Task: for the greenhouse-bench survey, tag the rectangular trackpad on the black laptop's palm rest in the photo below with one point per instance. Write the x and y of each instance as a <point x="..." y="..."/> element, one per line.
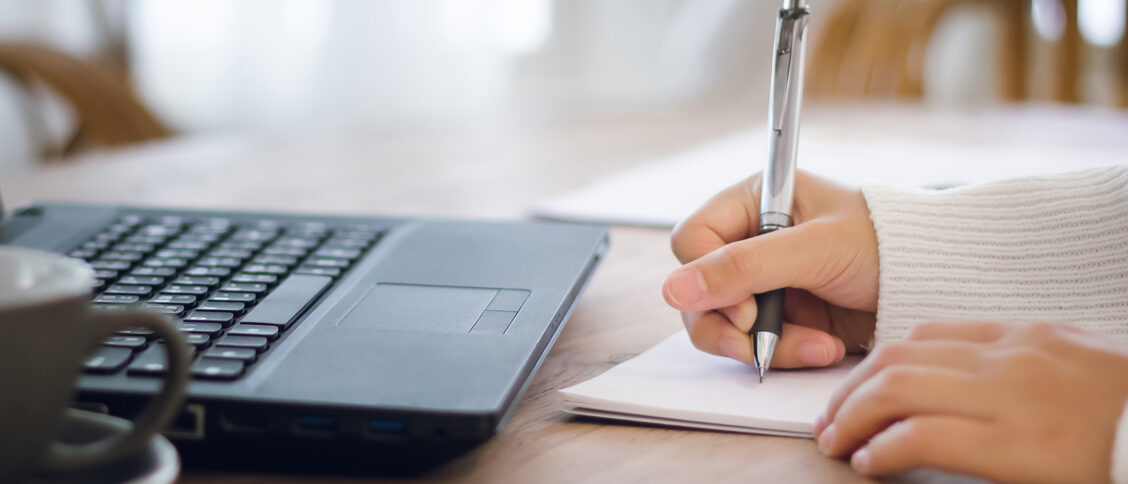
<point x="420" y="309"/>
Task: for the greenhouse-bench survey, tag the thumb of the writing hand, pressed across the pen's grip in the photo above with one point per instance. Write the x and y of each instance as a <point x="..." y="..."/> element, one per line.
<point x="792" y="258"/>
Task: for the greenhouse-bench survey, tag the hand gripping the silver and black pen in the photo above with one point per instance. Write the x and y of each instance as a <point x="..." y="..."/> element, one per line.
<point x="830" y="258"/>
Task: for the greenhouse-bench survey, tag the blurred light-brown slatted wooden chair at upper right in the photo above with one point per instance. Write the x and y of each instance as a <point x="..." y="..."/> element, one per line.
<point x="876" y="49"/>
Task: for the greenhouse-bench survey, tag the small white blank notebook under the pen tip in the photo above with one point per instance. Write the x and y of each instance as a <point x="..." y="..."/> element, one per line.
<point x="675" y="384"/>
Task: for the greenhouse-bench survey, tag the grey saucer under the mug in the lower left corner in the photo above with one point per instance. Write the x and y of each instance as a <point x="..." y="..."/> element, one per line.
<point x="156" y="464"/>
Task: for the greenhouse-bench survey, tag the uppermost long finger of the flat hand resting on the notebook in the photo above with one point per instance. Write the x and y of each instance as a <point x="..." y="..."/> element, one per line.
<point x="939" y="354"/>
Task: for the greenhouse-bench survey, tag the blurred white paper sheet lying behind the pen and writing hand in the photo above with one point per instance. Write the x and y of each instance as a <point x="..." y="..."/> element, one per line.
<point x="664" y="192"/>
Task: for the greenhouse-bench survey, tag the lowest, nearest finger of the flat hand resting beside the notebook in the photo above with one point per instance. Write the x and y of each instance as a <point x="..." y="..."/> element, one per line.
<point x="933" y="442"/>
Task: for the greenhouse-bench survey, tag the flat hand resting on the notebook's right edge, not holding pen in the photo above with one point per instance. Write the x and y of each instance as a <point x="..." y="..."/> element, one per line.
<point x="1012" y="403"/>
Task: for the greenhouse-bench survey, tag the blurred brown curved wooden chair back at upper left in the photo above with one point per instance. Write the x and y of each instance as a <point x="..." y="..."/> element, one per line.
<point x="109" y="113"/>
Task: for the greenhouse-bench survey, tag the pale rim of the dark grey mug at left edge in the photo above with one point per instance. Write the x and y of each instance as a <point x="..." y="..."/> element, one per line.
<point x="58" y="278"/>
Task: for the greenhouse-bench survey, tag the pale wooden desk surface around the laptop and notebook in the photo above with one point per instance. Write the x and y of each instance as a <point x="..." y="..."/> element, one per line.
<point x="491" y="171"/>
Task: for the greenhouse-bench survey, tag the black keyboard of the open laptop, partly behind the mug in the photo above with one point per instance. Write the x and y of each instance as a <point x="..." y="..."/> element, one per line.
<point x="235" y="287"/>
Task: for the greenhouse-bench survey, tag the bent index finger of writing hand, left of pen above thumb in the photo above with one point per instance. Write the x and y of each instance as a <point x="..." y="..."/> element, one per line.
<point x="730" y="216"/>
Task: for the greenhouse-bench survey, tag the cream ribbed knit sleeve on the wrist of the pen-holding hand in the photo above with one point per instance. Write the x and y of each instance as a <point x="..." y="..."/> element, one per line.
<point x="1038" y="249"/>
